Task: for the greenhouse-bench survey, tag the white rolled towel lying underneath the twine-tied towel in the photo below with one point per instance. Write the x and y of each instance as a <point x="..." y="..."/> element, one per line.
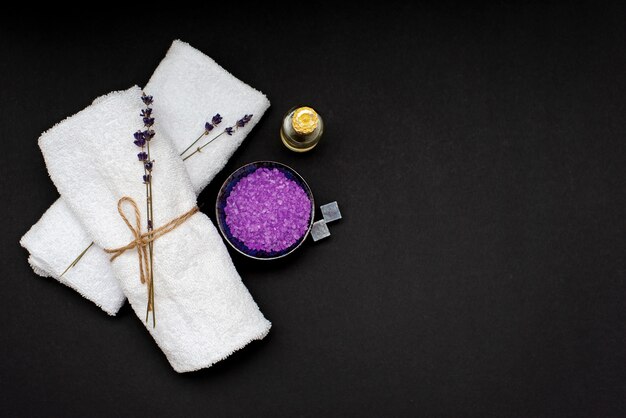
<point x="189" y="88"/>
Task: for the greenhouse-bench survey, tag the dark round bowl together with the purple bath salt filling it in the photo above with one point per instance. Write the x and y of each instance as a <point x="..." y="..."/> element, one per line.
<point x="265" y="210"/>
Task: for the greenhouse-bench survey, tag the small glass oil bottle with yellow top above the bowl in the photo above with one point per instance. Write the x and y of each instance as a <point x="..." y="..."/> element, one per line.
<point x="302" y="129"/>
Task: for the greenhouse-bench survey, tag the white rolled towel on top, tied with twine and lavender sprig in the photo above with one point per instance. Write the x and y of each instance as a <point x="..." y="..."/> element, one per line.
<point x="203" y="310"/>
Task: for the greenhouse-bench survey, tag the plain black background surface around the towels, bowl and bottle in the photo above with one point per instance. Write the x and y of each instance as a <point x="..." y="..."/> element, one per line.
<point x="477" y="153"/>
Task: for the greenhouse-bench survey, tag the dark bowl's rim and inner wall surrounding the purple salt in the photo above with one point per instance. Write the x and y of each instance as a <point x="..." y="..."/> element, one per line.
<point x="227" y="187"/>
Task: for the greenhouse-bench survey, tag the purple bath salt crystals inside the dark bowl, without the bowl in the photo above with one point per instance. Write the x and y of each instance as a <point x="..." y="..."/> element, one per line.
<point x="267" y="211"/>
